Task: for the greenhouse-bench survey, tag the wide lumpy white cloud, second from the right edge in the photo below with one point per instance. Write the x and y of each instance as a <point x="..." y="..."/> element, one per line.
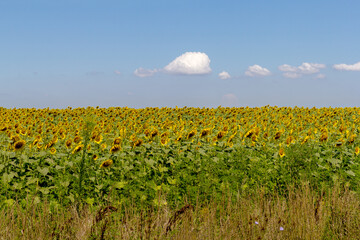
<point x="304" y="68"/>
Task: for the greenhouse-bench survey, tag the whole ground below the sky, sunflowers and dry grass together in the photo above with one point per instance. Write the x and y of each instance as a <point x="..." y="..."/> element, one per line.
<point x="201" y="173"/>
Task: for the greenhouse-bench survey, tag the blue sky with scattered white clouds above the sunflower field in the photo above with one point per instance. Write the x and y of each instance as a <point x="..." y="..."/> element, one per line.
<point x="170" y="53"/>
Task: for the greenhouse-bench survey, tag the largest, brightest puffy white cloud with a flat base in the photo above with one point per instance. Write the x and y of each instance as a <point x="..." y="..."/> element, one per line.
<point x="189" y="63"/>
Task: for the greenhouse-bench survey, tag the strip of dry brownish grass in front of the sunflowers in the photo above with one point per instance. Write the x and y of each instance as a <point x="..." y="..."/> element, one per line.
<point x="304" y="214"/>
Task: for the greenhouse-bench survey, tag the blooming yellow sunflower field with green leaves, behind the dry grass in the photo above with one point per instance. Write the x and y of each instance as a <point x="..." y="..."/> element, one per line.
<point x="163" y="156"/>
